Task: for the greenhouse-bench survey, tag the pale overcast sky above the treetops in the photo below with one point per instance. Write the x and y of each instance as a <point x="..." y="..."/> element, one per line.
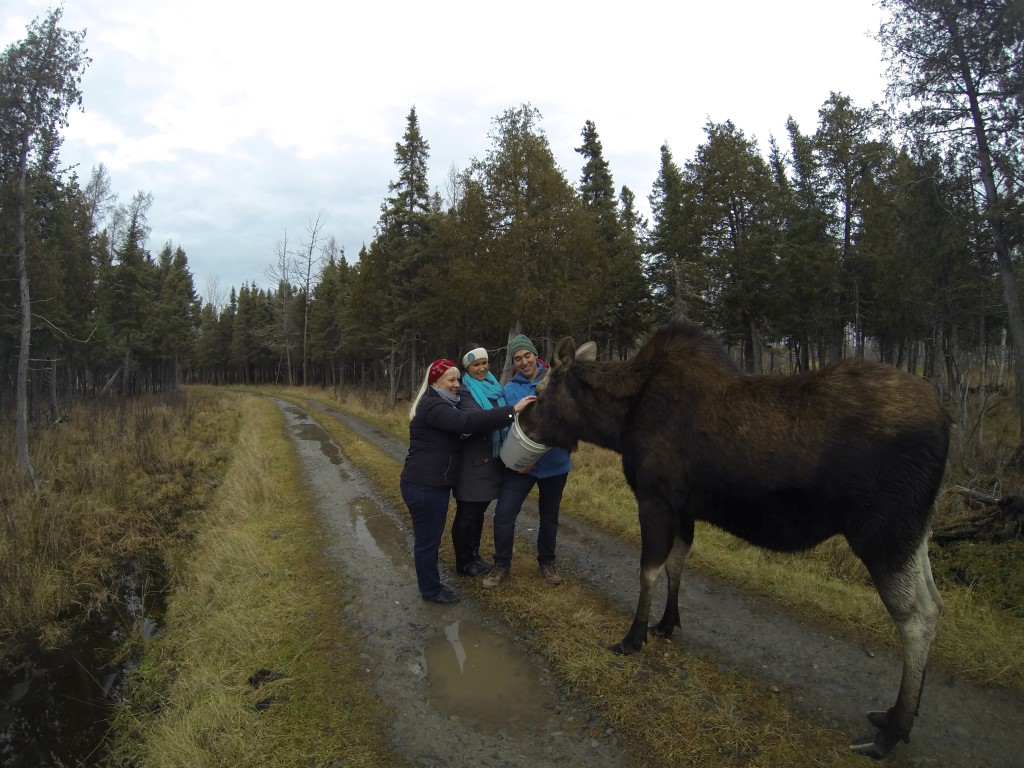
<point x="246" y="121"/>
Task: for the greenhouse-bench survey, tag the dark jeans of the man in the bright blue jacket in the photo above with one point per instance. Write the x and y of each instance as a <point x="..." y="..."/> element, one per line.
<point x="516" y="489"/>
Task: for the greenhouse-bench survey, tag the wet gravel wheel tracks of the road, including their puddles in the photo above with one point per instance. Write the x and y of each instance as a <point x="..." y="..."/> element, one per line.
<point x="466" y="692"/>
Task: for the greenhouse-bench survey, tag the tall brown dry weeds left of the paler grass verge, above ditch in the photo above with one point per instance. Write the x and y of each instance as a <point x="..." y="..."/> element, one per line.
<point x="116" y="481"/>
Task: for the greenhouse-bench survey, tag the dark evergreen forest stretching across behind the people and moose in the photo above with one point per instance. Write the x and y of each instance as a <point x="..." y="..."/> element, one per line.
<point x="885" y="231"/>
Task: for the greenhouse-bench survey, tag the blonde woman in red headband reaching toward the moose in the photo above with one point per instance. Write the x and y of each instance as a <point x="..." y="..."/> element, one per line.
<point x="432" y="468"/>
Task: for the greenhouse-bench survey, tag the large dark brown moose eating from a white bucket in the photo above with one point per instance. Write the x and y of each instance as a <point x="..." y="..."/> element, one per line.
<point x="784" y="461"/>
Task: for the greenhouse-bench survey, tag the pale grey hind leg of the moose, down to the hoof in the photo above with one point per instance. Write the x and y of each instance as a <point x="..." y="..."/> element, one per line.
<point x="915" y="605"/>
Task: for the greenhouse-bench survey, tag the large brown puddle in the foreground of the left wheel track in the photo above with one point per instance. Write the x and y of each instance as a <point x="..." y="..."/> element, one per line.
<point x="482" y="677"/>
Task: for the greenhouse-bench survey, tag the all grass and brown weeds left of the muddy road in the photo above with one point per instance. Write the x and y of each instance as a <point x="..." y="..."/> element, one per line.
<point x="201" y="491"/>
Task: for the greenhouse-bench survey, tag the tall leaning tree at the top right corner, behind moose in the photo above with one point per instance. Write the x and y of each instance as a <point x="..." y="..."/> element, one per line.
<point x="961" y="68"/>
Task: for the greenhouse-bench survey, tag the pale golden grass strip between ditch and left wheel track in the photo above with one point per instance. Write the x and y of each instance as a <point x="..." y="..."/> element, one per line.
<point x="254" y="598"/>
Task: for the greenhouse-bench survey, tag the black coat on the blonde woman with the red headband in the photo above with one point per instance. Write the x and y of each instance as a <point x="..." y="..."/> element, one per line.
<point x="436" y="439"/>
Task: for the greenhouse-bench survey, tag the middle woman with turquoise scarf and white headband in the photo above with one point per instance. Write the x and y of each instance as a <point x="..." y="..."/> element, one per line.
<point x="481" y="475"/>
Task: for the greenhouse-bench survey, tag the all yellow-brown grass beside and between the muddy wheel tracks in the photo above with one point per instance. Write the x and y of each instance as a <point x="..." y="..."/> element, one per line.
<point x="207" y="484"/>
